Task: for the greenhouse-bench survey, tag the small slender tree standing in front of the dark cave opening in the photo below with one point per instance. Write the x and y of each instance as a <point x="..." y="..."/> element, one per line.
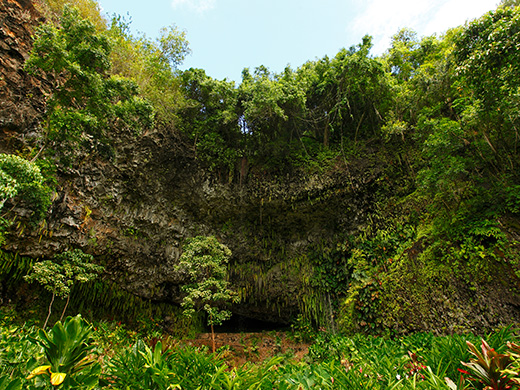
<point x="204" y="261"/>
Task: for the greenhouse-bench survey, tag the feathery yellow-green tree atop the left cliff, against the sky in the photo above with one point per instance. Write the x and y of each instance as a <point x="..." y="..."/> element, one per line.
<point x="150" y="64"/>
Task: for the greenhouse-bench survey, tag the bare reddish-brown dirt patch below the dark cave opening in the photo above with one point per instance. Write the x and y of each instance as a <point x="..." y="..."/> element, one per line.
<point x="252" y="347"/>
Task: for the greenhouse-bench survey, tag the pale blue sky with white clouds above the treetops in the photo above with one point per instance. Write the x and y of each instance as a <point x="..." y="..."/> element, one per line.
<point x="228" y="35"/>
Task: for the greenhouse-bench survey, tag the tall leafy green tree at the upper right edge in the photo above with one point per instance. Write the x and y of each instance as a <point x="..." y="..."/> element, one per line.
<point x="489" y="62"/>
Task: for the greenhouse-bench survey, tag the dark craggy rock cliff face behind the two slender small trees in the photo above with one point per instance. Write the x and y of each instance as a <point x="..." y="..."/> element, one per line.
<point x="134" y="212"/>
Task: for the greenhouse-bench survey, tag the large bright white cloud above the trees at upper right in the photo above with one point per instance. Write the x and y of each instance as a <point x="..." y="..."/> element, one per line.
<point x="383" y="18"/>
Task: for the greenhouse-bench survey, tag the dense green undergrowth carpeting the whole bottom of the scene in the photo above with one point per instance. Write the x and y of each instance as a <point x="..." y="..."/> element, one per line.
<point x="79" y="355"/>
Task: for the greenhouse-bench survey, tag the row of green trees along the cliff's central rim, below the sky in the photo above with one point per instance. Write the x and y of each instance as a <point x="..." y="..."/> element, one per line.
<point x="282" y="121"/>
